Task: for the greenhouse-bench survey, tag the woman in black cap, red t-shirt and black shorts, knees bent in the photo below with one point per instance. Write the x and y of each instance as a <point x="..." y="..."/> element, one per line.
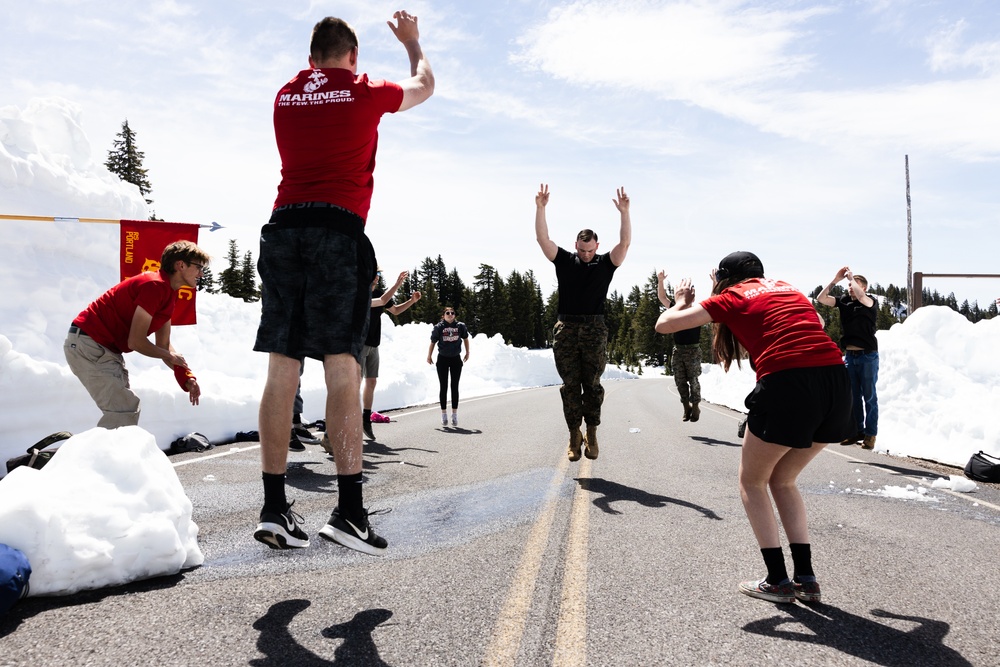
<point x="801" y="402"/>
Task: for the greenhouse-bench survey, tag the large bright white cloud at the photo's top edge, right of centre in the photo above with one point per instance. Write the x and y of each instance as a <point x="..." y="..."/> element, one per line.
<point x="674" y="49"/>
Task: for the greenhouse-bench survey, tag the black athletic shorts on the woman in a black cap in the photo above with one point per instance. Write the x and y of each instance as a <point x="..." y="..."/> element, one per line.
<point x="800" y="406"/>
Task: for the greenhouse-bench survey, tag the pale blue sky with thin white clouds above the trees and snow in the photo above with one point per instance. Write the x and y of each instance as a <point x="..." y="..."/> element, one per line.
<point x="777" y="127"/>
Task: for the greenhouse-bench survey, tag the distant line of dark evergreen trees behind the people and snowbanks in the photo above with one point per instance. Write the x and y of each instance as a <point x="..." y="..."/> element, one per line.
<point x="515" y="308"/>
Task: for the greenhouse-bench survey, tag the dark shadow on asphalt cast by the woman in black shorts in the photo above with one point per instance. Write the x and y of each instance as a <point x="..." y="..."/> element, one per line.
<point x="861" y="637"/>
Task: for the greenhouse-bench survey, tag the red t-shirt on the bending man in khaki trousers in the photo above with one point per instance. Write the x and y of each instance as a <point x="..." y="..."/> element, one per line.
<point x="108" y="319"/>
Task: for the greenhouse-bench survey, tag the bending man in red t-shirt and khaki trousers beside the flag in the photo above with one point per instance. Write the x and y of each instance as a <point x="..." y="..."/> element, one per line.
<point x="121" y="320"/>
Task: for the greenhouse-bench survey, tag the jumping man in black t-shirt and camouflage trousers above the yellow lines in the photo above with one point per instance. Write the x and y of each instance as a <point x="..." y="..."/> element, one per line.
<point x="580" y="337"/>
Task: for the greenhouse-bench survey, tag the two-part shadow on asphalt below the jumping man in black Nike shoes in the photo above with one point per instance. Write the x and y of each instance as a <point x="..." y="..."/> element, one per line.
<point x="280" y="647"/>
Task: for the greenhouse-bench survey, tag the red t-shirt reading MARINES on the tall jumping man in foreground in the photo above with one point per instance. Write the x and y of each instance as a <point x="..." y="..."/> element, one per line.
<point x="326" y="126"/>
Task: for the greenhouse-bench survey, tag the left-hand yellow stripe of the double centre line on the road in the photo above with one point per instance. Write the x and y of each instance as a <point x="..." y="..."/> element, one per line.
<point x="509" y="628"/>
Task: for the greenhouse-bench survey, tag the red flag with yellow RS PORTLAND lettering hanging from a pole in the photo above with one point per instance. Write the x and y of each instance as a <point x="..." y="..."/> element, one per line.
<point x="142" y="244"/>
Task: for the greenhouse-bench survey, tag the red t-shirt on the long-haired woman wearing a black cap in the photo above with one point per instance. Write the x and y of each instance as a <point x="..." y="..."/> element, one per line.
<point x="776" y="324"/>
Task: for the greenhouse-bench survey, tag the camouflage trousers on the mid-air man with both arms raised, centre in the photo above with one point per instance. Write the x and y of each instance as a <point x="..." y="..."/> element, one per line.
<point x="581" y="353"/>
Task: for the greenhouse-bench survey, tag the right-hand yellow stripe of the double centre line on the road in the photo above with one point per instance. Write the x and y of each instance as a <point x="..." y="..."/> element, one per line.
<point x="571" y="630"/>
